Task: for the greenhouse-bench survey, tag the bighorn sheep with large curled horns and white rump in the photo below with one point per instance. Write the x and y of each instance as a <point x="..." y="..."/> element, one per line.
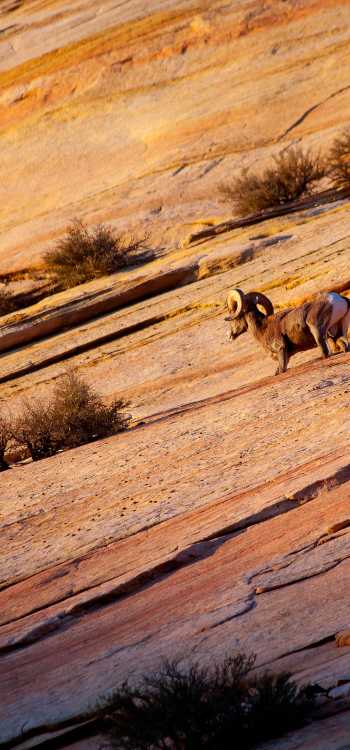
<point x="287" y="332"/>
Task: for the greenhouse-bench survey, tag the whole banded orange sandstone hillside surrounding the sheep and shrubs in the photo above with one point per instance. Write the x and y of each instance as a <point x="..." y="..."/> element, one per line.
<point x="220" y="520"/>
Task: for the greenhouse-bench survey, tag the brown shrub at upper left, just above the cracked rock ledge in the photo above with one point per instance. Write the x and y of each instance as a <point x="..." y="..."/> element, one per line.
<point x="83" y="254"/>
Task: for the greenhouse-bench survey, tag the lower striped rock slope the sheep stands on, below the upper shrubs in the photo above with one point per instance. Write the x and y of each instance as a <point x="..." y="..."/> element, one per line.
<point x="217" y="522"/>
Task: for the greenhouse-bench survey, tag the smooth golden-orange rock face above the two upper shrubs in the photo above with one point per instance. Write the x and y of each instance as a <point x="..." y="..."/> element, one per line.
<point x="133" y="114"/>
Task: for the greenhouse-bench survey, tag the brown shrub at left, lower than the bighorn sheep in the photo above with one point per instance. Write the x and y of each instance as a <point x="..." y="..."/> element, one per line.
<point x="75" y="415"/>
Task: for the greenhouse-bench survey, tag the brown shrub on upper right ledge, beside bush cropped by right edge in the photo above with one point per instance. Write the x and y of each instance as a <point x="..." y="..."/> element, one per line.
<point x="293" y="174"/>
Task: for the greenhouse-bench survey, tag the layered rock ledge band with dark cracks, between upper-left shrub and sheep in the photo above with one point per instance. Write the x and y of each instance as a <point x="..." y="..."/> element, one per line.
<point x="300" y="280"/>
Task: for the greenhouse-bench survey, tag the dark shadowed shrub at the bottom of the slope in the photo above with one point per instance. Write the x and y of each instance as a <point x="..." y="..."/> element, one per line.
<point x="202" y="709"/>
